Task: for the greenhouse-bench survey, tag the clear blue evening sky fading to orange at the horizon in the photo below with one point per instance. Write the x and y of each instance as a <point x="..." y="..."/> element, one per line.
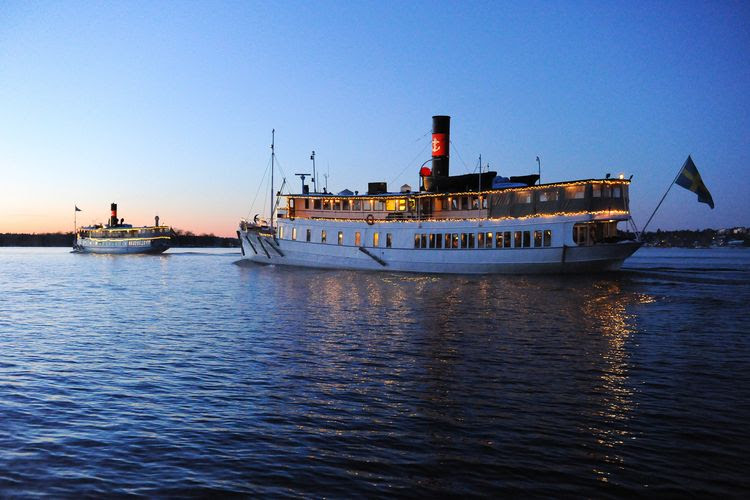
<point x="167" y="107"/>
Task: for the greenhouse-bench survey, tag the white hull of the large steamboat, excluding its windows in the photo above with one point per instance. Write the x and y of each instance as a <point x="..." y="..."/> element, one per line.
<point x="561" y="256"/>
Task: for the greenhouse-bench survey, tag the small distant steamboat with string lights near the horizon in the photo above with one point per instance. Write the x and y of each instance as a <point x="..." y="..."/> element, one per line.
<point x="116" y="237"/>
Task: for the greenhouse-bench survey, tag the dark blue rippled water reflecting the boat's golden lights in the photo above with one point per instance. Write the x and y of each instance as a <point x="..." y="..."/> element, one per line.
<point x="187" y="375"/>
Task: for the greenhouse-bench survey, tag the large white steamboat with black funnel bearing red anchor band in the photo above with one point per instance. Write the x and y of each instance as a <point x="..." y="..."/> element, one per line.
<point x="474" y="224"/>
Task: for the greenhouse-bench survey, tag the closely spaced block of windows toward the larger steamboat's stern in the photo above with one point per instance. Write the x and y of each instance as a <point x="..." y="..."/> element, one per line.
<point x="505" y="239"/>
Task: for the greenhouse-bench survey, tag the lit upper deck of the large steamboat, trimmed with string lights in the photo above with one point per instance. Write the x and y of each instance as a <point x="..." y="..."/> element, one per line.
<point x="593" y="196"/>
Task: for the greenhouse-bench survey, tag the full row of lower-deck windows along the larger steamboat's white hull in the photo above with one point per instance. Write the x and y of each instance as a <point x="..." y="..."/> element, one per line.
<point x="501" y="239"/>
